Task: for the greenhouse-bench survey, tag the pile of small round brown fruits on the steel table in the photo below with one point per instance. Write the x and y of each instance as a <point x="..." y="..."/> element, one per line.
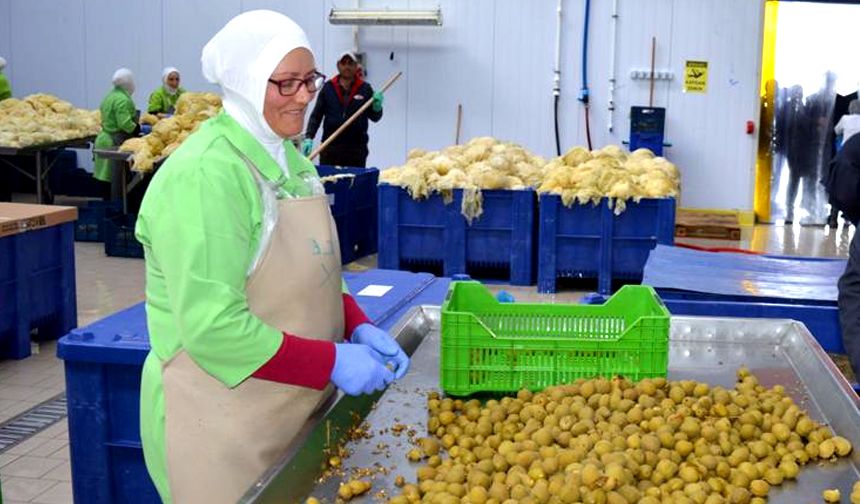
<point x="617" y="442"/>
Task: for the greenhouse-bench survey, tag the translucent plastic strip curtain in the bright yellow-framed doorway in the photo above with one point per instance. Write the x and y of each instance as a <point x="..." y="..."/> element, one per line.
<point x="805" y="108"/>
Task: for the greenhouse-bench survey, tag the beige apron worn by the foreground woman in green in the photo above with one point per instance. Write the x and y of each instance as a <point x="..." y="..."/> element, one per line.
<point x="220" y="440"/>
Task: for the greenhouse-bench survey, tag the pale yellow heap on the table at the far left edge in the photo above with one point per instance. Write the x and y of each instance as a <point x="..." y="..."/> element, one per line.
<point x="41" y="118"/>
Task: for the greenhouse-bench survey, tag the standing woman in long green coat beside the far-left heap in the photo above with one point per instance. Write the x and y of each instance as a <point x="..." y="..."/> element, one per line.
<point x="119" y="123"/>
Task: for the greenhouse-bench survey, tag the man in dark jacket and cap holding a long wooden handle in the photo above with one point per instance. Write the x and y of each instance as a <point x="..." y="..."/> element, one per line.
<point x="337" y="101"/>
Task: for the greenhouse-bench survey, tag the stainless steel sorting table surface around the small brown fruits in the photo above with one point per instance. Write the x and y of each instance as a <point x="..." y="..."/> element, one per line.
<point x="706" y="349"/>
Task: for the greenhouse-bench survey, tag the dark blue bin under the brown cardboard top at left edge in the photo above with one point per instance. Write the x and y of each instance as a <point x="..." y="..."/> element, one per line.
<point x="37" y="287"/>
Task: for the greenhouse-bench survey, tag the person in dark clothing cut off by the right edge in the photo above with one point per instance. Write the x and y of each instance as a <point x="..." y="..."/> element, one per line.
<point x="843" y="184"/>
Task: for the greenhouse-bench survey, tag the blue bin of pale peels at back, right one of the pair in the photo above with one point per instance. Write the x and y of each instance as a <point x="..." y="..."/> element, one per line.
<point x="590" y="241"/>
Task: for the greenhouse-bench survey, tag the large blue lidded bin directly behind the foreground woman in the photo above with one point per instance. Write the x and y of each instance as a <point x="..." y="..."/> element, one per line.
<point x="103" y="363"/>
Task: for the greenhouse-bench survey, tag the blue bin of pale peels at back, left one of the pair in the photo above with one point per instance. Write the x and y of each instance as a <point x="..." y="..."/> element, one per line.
<point x="428" y="235"/>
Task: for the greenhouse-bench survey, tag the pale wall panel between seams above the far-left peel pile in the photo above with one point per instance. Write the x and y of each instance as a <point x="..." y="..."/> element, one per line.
<point x="48" y="44"/>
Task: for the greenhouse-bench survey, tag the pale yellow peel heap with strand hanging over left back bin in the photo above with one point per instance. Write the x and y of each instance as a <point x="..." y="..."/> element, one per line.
<point x="482" y="163"/>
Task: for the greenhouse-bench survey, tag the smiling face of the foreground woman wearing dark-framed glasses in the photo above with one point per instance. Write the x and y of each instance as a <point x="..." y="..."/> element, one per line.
<point x="286" y="114"/>
